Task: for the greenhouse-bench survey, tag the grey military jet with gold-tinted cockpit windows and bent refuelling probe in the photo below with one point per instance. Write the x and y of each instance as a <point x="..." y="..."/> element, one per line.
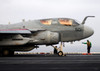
<point x="25" y="36"/>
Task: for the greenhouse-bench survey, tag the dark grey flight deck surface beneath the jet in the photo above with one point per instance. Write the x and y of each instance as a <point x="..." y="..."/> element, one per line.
<point x="50" y="62"/>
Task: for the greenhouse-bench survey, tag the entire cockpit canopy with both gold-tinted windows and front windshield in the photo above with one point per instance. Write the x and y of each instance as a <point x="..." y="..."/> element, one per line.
<point x="61" y="21"/>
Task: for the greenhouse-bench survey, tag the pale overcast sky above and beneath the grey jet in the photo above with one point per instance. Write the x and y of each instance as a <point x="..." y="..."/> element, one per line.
<point x="14" y="11"/>
